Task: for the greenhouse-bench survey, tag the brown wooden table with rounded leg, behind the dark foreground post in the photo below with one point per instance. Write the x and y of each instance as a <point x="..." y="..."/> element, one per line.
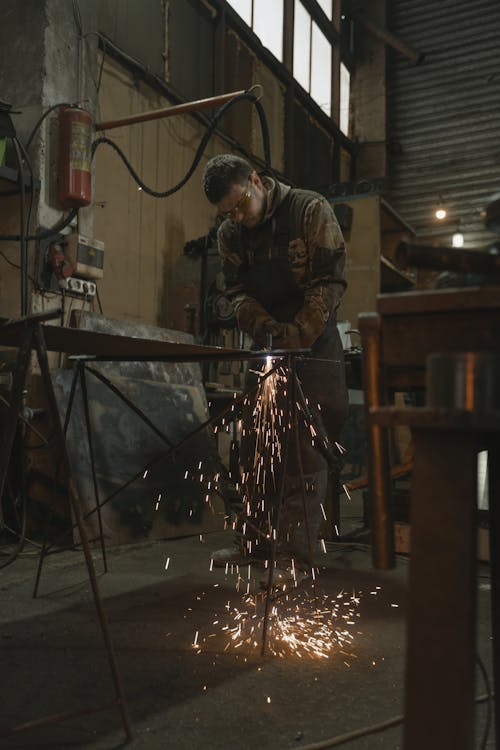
<point x="396" y="340"/>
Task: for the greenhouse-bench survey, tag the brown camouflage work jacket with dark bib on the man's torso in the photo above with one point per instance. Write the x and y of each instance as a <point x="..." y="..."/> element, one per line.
<point x="286" y="275"/>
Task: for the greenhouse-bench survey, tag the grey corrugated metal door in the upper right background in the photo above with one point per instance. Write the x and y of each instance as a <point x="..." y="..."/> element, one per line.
<point x="444" y="116"/>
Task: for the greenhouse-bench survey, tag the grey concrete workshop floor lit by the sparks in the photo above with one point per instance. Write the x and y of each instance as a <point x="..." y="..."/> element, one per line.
<point x="220" y="694"/>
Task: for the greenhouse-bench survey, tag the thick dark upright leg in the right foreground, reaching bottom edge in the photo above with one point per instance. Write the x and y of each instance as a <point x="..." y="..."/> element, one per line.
<point x="439" y="695"/>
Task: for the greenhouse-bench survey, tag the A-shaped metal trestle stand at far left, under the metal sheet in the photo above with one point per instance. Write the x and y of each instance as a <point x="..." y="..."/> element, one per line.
<point x="32" y="338"/>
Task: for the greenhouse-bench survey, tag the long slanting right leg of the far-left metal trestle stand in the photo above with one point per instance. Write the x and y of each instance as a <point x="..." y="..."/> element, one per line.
<point x="75" y="505"/>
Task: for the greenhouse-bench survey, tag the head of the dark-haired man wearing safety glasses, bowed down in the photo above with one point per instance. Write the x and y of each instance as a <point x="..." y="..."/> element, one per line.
<point x="235" y="189"/>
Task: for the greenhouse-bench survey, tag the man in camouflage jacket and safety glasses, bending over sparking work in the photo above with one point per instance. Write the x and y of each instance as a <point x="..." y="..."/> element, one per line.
<point x="283" y="258"/>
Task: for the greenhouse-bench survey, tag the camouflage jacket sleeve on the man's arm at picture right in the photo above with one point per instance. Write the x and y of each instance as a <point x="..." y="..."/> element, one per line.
<point x="324" y="282"/>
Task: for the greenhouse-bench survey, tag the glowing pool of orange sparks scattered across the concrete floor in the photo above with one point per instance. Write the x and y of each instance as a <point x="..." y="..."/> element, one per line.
<point x="301" y="624"/>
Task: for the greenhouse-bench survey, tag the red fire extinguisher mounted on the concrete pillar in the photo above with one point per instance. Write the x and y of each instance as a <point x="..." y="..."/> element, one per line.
<point x="75" y="138"/>
